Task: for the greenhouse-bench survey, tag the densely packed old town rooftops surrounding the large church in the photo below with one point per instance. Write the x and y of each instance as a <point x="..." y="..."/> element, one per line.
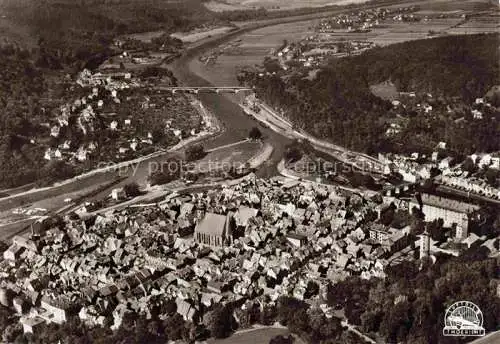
<point x="257" y="239"/>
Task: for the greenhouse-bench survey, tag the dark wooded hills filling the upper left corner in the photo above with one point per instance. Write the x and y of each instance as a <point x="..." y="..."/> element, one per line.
<point x="79" y="32"/>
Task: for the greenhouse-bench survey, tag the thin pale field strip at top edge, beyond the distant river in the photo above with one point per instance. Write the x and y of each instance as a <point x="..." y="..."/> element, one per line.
<point x="232" y="5"/>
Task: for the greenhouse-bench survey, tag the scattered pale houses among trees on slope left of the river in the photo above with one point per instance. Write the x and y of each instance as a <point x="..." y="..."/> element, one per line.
<point x="99" y="110"/>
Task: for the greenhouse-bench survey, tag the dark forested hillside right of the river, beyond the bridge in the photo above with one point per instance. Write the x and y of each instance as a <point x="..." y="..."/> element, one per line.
<point x="338" y="104"/>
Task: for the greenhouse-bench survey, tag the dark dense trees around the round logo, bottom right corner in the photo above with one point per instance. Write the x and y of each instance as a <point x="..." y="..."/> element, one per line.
<point x="409" y="306"/>
